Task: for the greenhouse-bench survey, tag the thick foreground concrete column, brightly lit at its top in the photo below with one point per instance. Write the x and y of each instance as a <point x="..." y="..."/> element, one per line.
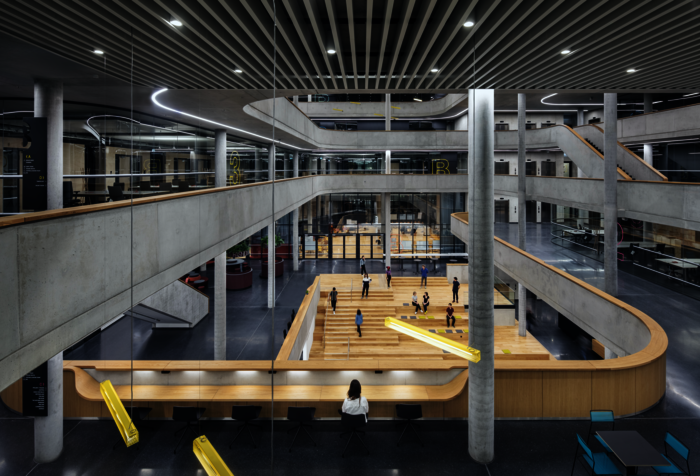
<point x="481" y="276"/>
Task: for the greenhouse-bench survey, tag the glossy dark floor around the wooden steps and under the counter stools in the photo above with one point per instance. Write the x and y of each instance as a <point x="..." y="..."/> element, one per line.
<point x="522" y="447"/>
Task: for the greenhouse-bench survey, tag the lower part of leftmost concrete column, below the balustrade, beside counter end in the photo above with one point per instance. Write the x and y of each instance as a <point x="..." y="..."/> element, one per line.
<point x="48" y="430"/>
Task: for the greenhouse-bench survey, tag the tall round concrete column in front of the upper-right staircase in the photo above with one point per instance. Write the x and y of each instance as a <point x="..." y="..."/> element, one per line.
<point x="610" y="179"/>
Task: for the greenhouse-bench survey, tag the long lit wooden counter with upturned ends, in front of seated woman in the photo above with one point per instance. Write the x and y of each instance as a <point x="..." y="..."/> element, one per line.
<point x="89" y="389"/>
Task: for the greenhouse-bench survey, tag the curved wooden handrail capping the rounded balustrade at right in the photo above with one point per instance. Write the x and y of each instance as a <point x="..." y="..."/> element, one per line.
<point x="655" y="349"/>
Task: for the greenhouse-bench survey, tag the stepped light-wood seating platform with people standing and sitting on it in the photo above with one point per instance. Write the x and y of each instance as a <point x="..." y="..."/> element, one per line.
<point x="336" y="337"/>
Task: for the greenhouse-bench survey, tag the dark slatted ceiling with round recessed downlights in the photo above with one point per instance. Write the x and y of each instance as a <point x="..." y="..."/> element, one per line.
<point x="379" y="44"/>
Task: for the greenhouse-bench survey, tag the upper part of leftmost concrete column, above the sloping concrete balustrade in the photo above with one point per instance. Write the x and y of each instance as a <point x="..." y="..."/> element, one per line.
<point x="48" y="103"/>
